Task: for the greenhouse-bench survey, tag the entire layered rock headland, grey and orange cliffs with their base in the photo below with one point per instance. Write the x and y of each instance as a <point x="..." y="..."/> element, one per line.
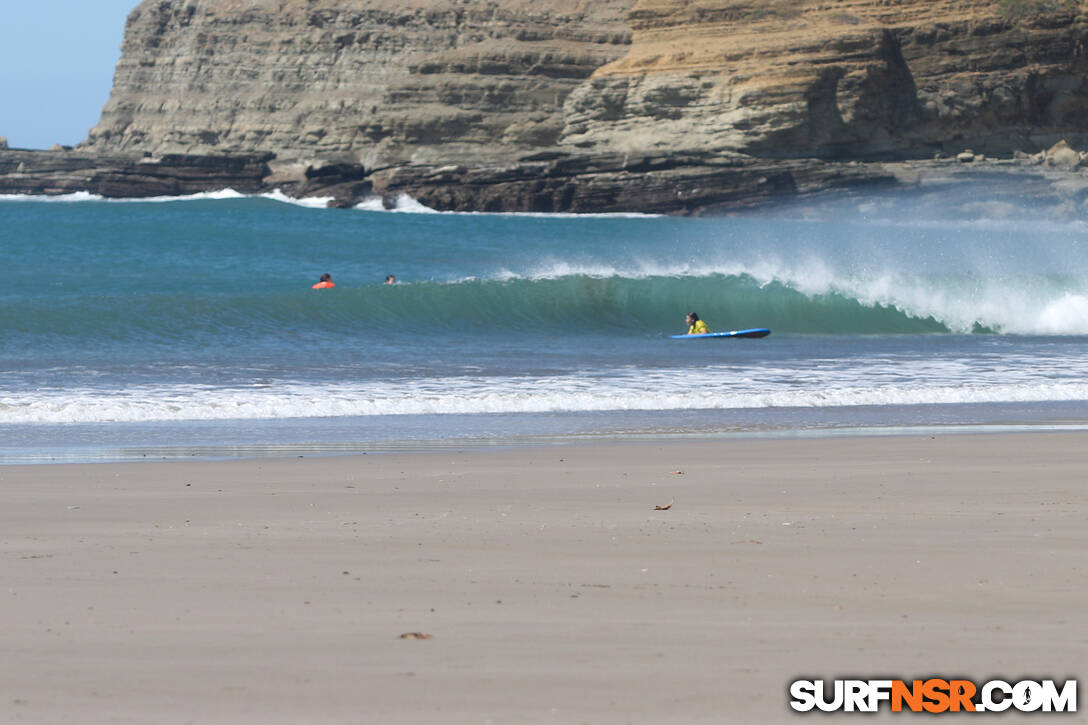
<point x="675" y="106"/>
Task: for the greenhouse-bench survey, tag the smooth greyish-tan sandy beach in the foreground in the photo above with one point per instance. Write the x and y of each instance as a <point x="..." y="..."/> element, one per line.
<point x="276" y="592"/>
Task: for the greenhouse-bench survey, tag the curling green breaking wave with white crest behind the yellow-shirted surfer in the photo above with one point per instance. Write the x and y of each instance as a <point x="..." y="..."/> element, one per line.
<point x="597" y="301"/>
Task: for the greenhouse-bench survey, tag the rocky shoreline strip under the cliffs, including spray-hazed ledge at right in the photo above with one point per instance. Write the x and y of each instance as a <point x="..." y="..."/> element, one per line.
<point x="694" y="183"/>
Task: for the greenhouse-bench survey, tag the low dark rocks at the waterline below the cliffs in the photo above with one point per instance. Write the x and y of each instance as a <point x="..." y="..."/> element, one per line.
<point x="685" y="185"/>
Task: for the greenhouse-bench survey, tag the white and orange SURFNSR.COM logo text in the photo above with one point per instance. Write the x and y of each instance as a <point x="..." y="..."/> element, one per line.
<point x="933" y="696"/>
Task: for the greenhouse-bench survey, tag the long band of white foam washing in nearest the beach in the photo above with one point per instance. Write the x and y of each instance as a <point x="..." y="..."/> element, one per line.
<point x="834" y="385"/>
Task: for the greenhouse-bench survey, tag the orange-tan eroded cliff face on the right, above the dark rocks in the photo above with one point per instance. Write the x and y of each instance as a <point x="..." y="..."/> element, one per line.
<point x="876" y="79"/>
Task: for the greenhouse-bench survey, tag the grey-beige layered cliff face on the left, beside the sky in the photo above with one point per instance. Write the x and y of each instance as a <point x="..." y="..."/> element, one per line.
<point x="375" y="81"/>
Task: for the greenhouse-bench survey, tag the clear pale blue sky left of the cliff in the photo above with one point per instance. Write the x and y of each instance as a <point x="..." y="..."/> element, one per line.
<point x="57" y="60"/>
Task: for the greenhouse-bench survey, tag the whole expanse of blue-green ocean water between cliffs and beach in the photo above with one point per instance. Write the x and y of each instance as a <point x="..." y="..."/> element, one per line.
<point x="180" y="328"/>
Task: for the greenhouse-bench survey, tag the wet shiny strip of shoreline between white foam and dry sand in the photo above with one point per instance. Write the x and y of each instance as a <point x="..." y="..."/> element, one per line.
<point x="267" y="439"/>
